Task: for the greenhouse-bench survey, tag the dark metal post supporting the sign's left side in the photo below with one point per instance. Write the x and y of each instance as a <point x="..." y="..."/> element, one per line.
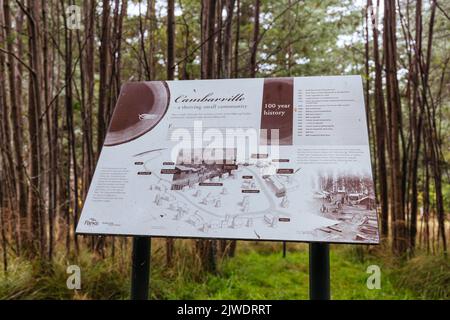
<point x="140" y="269"/>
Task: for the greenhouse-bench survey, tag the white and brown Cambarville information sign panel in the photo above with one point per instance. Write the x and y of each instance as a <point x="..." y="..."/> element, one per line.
<point x="260" y="159"/>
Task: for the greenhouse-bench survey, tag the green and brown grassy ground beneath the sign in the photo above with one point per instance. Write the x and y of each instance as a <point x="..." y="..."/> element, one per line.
<point x="258" y="271"/>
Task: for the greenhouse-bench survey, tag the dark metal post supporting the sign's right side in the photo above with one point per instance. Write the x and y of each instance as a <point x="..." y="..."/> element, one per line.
<point x="319" y="271"/>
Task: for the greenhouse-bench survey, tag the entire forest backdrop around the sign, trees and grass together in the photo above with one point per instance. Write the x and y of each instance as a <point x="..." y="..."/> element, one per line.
<point x="62" y="64"/>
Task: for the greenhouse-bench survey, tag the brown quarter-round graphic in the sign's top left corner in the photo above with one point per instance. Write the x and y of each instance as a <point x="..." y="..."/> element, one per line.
<point x="139" y="108"/>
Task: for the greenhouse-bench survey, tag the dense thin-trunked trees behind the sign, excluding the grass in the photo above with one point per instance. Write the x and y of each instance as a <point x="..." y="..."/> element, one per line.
<point x="61" y="69"/>
